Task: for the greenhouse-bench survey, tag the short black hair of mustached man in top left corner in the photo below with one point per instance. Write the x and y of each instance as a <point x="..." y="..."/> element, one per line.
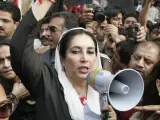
<point x="12" y="9"/>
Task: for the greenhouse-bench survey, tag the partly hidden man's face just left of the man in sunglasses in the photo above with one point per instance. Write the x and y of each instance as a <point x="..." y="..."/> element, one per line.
<point x="43" y="34"/>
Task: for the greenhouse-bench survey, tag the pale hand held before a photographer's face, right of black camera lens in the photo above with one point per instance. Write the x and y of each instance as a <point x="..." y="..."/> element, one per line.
<point x="111" y="32"/>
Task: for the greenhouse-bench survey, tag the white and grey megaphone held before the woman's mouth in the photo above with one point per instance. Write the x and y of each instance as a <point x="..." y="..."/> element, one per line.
<point x="123" y="90"/>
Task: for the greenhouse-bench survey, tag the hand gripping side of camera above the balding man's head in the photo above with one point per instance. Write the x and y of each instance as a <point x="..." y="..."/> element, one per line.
<point x="141" y="35"/>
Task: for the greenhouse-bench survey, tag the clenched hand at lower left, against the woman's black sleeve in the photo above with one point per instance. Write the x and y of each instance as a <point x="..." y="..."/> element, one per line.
<point x="20" y="91"/>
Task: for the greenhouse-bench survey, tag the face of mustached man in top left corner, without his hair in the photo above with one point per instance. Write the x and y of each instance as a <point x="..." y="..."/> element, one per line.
<point x="7" y="25"/>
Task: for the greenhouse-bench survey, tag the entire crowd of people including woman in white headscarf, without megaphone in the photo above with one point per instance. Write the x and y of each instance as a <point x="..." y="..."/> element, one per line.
<point x="46" y="55"/>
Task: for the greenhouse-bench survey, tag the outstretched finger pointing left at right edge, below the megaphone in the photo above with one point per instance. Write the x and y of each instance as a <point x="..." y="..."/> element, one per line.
<point x="148" y="108"/>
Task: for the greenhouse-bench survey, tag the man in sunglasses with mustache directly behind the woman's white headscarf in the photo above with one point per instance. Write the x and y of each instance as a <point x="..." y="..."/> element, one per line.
<point x="59" y="23"/>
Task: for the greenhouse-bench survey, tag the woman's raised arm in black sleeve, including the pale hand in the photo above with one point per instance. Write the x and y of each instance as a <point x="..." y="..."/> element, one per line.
<point x="25" y="62"/>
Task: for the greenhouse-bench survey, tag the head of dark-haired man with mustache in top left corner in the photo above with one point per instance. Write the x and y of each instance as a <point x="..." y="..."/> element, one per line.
<point x="9" y="18"/>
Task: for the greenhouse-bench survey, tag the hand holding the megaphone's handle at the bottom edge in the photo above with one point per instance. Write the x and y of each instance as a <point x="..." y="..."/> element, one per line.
<point x="111" y="113"/>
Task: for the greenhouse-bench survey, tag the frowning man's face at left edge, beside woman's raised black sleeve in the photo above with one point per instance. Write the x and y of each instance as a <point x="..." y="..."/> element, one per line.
<point x="6" y="70"/>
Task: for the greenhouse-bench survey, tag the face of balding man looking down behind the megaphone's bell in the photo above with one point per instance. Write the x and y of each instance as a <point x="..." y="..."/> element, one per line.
<point x="143" y="60"/>
